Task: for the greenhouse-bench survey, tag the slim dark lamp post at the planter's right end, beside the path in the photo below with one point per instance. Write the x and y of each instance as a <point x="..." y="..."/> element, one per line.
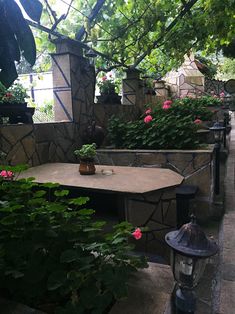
<point x="217" y="129"/>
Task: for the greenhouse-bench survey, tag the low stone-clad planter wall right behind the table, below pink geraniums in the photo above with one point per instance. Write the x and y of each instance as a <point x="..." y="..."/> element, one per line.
<point x="195" y="165"/>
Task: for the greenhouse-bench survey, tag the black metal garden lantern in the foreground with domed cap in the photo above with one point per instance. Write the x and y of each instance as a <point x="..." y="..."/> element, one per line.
<point x="190" y="250"/>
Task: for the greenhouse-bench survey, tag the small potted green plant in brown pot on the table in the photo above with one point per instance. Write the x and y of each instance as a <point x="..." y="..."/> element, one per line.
<point x="86" y="155"/>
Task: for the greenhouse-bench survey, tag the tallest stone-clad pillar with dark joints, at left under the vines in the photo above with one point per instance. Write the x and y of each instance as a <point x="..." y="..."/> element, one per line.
<point x="74" y="84"/>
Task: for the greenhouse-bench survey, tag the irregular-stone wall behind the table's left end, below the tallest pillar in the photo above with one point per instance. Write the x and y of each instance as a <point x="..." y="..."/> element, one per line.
<point x="36" y="144"/>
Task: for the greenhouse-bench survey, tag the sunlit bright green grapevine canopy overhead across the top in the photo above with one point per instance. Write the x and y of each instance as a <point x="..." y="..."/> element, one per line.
<point x="153" y="34"/>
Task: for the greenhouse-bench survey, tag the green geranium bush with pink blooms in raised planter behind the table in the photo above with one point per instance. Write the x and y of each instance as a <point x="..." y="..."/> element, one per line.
<point x="173" y="128"/>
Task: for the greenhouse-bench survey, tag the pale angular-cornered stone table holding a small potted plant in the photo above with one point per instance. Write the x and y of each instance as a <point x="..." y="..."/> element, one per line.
<point x="125" y="181"/>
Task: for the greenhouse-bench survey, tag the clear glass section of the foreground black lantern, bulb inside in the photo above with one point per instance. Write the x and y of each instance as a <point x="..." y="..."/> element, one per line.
<point x="187" y="270"/>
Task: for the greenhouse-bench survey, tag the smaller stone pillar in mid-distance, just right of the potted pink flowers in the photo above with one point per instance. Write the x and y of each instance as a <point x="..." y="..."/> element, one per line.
<point x="133" y="89"/>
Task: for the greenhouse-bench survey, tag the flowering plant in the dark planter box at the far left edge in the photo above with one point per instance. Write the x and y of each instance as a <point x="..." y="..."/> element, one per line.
<point x="16" y="94"/>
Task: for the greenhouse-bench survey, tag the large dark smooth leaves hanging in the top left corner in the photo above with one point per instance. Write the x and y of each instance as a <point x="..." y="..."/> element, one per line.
<point x="16" y="37"/>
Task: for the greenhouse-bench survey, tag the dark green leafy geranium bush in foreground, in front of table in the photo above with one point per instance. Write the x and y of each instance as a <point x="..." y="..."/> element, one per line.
<point x="52" y="251"/>
